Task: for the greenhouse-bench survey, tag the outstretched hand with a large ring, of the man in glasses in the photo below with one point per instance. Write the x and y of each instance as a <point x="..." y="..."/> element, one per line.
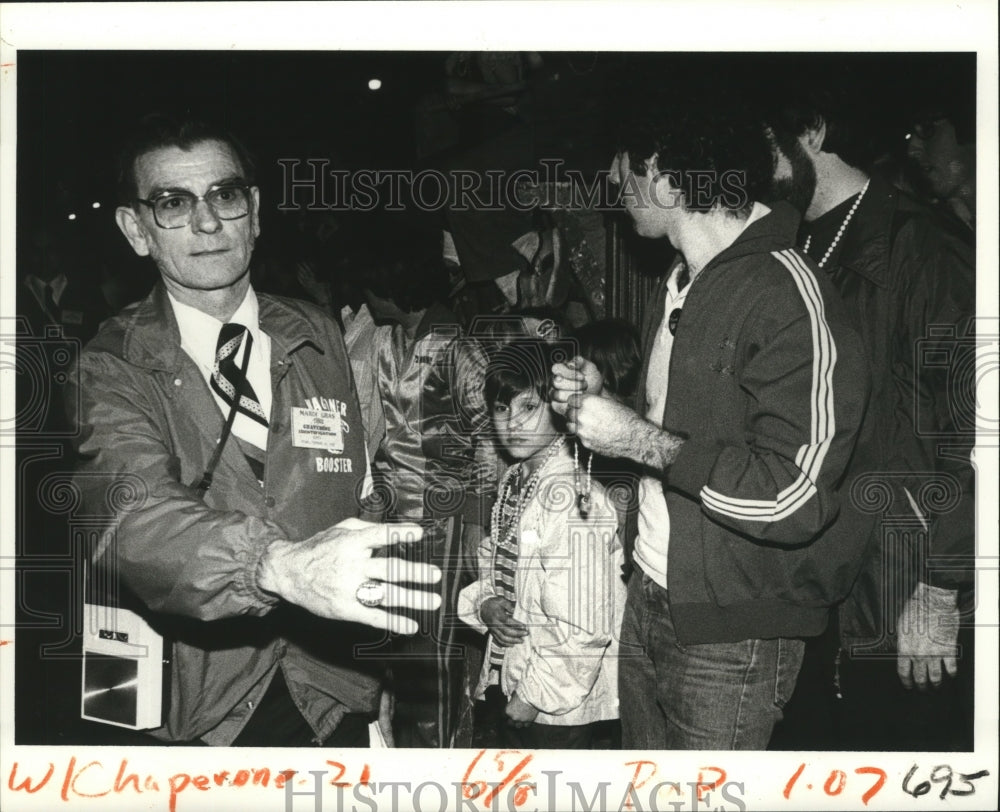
<point x="323" y="573"/>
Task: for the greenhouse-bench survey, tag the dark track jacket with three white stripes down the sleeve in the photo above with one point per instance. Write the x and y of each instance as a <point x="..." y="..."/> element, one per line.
<point x="768" y="386"/>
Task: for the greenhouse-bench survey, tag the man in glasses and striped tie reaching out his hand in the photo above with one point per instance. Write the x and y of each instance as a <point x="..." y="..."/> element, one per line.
<point x="233" y="418"/>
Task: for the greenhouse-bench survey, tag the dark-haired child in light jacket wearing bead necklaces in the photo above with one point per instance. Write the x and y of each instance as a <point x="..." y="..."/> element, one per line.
<point x="549" y="593"/>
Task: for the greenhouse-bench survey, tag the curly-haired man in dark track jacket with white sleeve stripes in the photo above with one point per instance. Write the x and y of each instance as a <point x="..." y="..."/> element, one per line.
<point x="745" y="536"/>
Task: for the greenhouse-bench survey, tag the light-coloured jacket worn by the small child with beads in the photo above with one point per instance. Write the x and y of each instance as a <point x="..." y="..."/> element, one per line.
<point x="570" y="595"/>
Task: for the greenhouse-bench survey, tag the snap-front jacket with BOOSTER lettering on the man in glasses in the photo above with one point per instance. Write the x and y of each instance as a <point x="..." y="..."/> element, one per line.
<point x="148" y="425"/>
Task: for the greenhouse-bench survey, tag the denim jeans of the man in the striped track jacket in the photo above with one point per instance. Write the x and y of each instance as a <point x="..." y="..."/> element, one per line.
<point x="709" y="696"/>
